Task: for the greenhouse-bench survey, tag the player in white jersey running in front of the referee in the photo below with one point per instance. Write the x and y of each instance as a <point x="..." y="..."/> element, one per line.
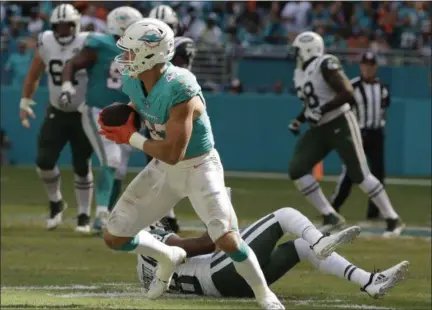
<point x="327" y="93"/>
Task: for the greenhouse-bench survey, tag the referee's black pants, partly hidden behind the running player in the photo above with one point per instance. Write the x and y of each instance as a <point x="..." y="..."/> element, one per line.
<point x="373" y="144"/>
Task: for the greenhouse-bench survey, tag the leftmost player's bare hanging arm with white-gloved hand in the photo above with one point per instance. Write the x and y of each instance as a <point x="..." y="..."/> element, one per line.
<point x="31" y="83"/>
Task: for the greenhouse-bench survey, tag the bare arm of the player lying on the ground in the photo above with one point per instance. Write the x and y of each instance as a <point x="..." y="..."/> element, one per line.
<point x="193" y="246"/>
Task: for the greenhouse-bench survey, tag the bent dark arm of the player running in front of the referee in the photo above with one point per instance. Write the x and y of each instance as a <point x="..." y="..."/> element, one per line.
<point x="339" y="82"/>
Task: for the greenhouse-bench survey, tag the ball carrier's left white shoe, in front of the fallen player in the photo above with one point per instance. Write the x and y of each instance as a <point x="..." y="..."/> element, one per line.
<point x="164" y="272"/>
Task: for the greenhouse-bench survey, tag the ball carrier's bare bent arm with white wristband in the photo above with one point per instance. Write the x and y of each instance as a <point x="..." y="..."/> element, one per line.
<point x="178" y="132"/>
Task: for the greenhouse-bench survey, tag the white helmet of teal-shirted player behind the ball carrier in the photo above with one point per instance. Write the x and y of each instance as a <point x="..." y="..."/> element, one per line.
<point x="119" y="19"/>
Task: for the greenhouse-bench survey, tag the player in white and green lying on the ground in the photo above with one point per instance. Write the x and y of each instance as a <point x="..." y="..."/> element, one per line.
<point x="213" y="274"/>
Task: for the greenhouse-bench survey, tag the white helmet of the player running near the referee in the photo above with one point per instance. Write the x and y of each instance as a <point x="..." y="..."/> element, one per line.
<point x="308" y="44"/>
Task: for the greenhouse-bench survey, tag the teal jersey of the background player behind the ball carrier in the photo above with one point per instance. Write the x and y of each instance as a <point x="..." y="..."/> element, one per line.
<point x="104" y="79"/>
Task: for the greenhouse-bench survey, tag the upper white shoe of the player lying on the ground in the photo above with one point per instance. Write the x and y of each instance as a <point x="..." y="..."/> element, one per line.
<point x="326" y="245"/>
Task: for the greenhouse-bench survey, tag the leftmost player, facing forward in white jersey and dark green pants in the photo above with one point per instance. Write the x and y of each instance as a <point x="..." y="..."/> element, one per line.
<point x="62" y="123"/>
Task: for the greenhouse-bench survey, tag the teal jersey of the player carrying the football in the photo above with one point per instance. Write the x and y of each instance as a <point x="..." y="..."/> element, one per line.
<point x="176" y="85"/>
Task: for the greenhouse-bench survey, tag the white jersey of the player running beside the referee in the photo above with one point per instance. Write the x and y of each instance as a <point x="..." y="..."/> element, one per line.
<point x="314" y="91"/>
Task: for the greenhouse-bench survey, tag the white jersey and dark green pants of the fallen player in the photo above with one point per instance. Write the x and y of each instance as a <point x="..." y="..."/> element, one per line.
<point x="215" y="274"/>
